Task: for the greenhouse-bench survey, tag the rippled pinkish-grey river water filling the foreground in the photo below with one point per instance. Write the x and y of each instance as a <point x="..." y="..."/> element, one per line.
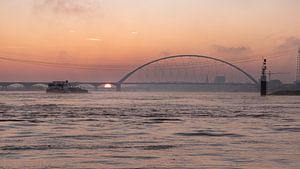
<point x="148" y="130"/>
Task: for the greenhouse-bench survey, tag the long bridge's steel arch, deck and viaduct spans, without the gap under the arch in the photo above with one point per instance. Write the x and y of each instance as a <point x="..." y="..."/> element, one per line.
<point x="123" y="80"/>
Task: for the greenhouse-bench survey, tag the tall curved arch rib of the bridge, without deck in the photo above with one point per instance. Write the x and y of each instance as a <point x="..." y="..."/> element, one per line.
<point x="124" y="78"/>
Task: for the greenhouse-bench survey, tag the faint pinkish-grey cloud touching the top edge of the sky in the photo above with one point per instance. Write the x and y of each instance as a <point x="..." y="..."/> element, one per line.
<point x="65" y="6"/>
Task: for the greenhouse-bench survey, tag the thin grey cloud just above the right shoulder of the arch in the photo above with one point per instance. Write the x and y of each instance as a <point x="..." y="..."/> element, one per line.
<point x="232" y="51"/>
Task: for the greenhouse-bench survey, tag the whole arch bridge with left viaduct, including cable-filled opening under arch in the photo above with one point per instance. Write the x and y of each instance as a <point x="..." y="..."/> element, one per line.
<point x="186" y="70"/>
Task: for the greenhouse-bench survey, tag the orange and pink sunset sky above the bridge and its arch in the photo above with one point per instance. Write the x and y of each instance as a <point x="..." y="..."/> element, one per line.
<point x="118" y="35"/>
